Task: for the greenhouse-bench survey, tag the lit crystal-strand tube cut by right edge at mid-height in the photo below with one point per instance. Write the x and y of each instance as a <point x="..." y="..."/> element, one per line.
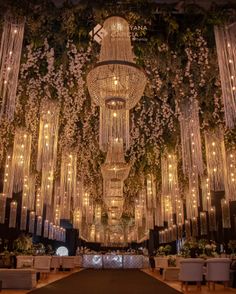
<point x="231" y="175"/>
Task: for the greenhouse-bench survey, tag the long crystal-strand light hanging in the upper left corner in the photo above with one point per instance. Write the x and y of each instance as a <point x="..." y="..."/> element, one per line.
<point x="10" y="55"/>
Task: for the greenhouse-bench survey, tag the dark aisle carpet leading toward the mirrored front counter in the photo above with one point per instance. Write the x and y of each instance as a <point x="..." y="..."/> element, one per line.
<point x="107" y="282"/>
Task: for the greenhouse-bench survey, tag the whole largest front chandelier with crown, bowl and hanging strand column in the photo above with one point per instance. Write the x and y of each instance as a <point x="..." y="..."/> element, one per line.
<point x="116" y="83"/>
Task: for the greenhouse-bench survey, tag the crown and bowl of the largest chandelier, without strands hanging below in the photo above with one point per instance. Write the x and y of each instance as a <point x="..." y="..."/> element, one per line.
<point x="116" y="77"/>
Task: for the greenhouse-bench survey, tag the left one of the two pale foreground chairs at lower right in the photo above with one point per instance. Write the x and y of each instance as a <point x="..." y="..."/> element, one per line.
<point x="191" y="270"/>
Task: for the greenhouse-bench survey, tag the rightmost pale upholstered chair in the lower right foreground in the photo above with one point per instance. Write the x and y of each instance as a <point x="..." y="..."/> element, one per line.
<point x="217" y="270"/>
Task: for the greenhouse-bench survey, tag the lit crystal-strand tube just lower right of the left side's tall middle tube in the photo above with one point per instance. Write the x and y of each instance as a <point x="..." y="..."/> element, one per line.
<point x="68" y="182"/>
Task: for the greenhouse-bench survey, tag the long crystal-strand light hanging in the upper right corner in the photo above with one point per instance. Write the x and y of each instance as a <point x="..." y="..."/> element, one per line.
<point x="225" y="37"/>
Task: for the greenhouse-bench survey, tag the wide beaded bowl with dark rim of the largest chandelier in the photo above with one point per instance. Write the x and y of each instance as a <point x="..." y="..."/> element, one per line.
<point x="114" y="81"/>
